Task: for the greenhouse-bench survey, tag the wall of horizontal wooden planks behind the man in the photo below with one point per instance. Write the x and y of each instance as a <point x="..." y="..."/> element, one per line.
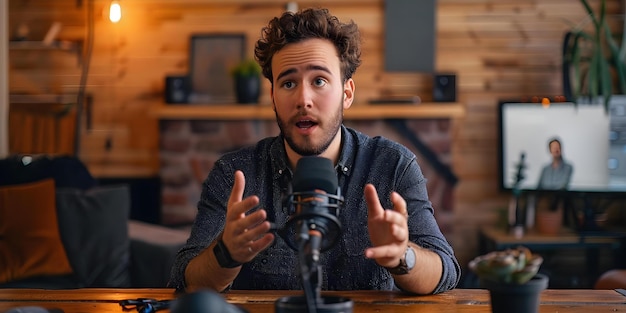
<point x="498" y="49"/>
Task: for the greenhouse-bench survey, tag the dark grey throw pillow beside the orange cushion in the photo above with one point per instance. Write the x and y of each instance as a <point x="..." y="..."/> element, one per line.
<point x="94" y="230"/>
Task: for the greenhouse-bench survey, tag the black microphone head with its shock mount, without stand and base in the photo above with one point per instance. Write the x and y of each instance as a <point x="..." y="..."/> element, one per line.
<point x="314" y="205"/>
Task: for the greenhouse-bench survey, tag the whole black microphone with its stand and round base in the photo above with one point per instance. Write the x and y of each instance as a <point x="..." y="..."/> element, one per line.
<point x="313" y="227"/>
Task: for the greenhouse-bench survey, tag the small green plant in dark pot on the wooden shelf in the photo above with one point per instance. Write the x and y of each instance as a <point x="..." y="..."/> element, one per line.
<point x="247" y="76"/>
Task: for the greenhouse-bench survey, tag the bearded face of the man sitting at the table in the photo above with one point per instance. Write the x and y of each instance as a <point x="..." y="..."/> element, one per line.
<point x="308" y="96"/>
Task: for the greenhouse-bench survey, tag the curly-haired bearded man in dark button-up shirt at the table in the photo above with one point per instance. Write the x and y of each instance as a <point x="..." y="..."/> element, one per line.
<point x="390" y="238"/>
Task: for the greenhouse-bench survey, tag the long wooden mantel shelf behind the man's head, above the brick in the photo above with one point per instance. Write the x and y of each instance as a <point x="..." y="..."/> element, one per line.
<point x="265" y="112"/>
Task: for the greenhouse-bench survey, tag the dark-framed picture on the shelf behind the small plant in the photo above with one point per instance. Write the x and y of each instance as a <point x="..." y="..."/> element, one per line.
<point x="212" y="56"/>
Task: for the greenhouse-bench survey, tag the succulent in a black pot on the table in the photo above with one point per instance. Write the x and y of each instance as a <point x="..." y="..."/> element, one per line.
<point x="512" y="278"/>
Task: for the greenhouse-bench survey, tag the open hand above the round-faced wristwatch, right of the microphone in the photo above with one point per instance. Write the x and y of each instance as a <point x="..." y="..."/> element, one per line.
<point x="388" y="229"/>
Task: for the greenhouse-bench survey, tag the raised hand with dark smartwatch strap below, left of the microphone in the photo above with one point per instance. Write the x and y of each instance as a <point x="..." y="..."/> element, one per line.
<point x="245" y="235"/>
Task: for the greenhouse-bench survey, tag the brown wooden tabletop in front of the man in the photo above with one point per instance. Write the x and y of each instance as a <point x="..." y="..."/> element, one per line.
<point x="458" y="300"/>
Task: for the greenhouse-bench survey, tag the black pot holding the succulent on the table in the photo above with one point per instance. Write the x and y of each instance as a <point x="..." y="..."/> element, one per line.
<point x="516" y="298"/>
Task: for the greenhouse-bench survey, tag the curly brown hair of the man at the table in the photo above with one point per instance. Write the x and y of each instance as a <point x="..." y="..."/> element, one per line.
<point x="309" y="23"/>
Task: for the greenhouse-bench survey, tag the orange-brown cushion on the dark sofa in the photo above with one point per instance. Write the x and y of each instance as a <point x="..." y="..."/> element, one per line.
<point x="30" y="243"/>
